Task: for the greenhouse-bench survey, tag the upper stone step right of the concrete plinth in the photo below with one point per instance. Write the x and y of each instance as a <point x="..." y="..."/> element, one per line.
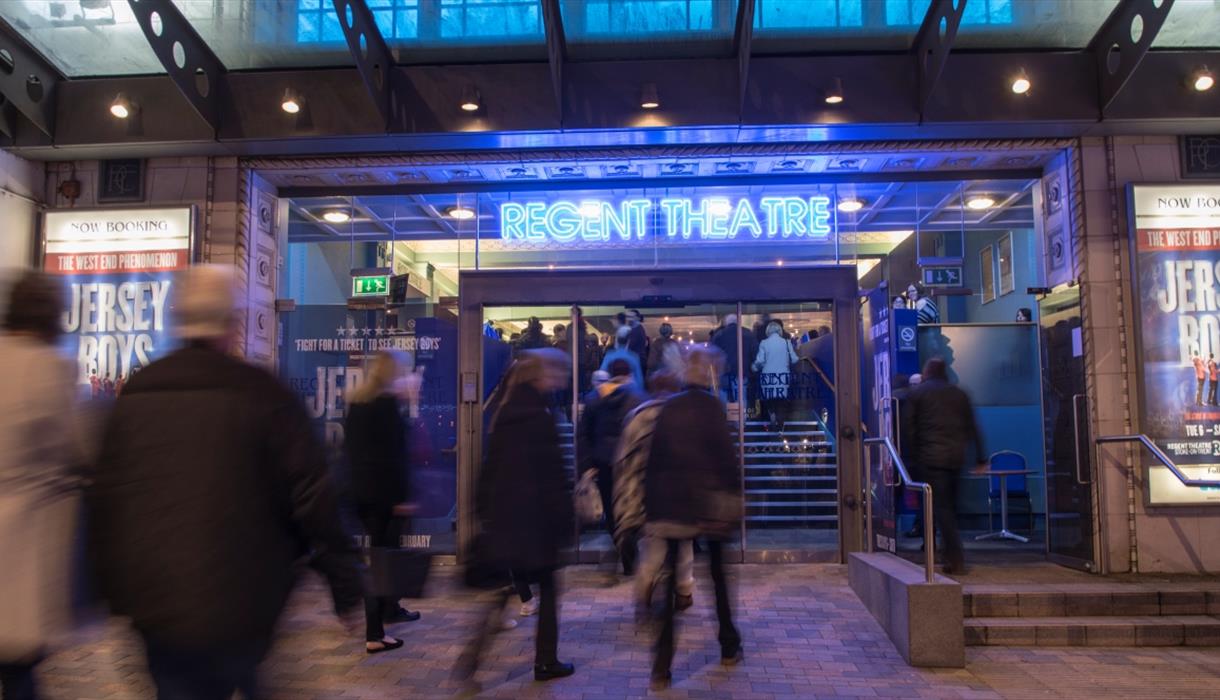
<point x="1088" y="602"/>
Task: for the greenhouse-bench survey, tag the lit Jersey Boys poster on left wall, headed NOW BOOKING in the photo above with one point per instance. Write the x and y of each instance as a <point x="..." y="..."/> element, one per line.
<point x="119" y="270"/>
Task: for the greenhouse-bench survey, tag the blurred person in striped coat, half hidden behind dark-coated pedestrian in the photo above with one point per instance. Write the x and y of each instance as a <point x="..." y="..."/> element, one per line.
<point x="631" y="463"/>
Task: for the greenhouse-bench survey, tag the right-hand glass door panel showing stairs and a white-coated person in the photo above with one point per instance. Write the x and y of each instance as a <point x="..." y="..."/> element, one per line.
<point x="791" y="452"/>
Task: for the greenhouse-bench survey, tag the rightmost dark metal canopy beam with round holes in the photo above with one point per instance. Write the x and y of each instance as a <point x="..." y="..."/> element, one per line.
<point x="1122" y="43"/>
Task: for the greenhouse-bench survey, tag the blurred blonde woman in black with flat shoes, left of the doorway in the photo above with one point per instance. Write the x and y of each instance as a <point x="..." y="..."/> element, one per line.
<point x="376" y="440"/>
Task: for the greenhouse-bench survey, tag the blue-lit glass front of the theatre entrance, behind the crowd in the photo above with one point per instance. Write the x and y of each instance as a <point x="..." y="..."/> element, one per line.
<point x="789" y="453"/>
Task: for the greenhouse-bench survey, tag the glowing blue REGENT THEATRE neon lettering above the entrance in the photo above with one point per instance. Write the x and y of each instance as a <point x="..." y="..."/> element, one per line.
<point x="674" y="219"/>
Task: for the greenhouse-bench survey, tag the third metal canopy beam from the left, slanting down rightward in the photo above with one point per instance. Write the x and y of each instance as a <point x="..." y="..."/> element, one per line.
<point x="400" y="104"/>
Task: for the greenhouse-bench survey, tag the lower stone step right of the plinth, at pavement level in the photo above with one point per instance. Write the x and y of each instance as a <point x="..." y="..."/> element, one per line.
<point x="1114" y="631"/>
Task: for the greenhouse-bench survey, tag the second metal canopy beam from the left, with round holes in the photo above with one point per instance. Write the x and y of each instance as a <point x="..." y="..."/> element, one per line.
<point x="187" y="59"/>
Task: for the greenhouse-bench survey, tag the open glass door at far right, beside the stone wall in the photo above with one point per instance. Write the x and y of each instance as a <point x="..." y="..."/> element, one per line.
<point x="1071" y="520"/>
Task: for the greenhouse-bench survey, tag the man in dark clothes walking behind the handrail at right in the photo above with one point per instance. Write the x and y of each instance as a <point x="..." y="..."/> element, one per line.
<point x="940" y="429"/>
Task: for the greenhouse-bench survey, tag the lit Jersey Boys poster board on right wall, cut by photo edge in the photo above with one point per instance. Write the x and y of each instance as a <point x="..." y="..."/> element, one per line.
<point x="1175" y="232"/>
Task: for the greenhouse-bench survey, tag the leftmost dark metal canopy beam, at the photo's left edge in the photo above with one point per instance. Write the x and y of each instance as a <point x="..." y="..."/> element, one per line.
<point x="27" y="82"/>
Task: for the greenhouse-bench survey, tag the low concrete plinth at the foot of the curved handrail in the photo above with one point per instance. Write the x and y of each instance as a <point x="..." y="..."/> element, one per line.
<point x="923" y="620"/>
